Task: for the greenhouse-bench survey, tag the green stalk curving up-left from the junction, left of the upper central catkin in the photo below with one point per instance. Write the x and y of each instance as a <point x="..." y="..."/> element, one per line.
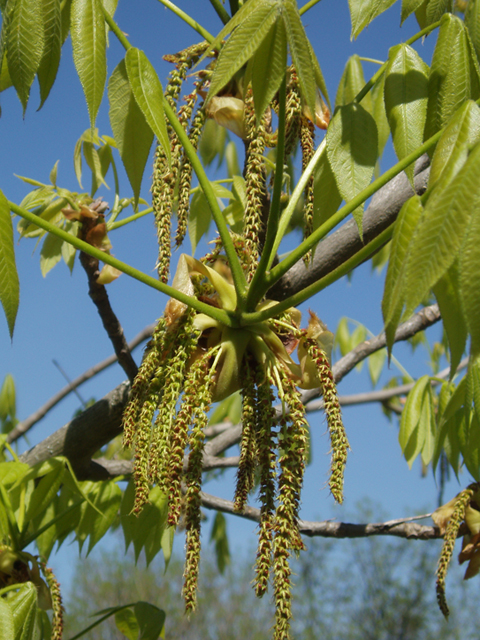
<point x="234" y="263"/>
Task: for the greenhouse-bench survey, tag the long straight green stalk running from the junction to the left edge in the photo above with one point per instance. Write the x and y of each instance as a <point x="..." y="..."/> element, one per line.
<point x="81" y="245"/>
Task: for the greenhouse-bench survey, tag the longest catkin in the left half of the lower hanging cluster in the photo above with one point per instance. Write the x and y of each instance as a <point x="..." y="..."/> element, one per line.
<point x="193" y="479"/>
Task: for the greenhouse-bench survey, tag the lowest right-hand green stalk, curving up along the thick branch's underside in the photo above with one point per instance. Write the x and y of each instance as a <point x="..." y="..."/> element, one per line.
<point x="299" y="297"/>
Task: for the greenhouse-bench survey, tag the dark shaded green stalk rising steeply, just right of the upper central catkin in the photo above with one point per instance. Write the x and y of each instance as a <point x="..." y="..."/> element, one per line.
<point x="255" y="292"/>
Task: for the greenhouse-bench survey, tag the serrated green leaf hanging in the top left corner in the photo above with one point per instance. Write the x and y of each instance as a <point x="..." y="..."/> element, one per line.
<point x="24" y="43"/>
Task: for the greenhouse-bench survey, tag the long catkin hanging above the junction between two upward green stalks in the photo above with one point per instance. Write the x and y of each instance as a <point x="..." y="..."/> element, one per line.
<point x="255" y="184"/>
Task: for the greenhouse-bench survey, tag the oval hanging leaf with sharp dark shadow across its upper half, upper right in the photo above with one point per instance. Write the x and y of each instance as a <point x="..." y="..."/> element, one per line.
<point x="406" y="91"/>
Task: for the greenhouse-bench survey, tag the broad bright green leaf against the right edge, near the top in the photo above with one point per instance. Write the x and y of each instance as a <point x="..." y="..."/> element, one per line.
<point x="453" y="75"/>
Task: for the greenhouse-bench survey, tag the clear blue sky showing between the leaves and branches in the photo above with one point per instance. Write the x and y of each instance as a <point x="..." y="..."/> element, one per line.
<point x="57" y="320"/>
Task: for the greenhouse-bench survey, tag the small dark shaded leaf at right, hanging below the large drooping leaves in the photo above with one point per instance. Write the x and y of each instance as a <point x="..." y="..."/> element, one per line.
<point x="449" y="301"/>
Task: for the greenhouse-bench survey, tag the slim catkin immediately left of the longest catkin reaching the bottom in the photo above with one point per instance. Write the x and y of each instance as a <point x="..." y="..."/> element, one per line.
<point x="266" y="447"/>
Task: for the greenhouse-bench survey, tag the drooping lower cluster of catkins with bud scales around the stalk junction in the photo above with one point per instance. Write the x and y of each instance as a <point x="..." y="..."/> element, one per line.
<point x="193" y="361"/>
